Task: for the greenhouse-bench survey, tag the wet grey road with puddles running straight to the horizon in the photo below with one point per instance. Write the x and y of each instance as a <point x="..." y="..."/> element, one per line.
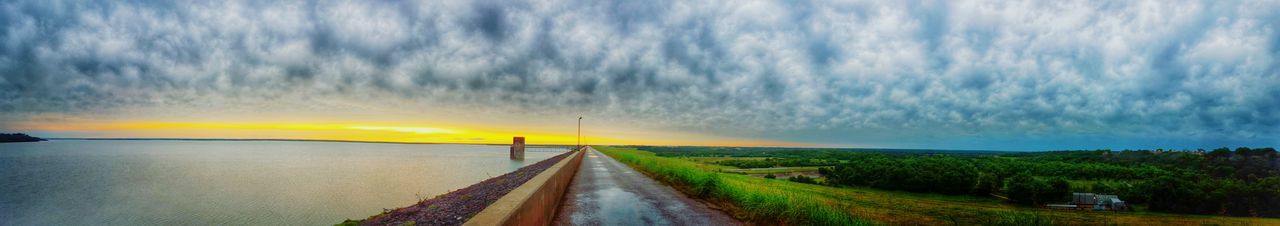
<point x="607" y="192"/>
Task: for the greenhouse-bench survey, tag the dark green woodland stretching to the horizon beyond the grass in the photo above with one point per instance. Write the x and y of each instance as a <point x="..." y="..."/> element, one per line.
<point x="1242" y="182"/>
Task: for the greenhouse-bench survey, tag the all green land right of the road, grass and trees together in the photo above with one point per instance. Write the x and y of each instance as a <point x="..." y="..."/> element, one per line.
<point x="944" y="187"/>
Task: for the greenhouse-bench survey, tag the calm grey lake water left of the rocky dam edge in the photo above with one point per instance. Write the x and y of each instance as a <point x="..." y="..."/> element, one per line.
<point x="231" y="183"/>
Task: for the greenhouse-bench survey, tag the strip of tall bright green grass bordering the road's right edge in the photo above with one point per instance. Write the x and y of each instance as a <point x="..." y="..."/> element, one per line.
<point x="755" y="200"/>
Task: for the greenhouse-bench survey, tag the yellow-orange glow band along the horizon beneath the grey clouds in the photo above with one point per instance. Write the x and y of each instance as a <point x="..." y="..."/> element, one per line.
<point x="356" y="132"/>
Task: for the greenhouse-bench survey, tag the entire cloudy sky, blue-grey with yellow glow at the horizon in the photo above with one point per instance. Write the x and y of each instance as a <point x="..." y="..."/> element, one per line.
<point x="1017" y="76"/>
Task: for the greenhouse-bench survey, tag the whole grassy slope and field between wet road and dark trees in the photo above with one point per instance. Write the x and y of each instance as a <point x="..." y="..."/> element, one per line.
<point x="784" y="202"/>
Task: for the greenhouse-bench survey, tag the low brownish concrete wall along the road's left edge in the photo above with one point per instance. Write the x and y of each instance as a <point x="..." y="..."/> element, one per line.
<point x="536" y="201"/>
